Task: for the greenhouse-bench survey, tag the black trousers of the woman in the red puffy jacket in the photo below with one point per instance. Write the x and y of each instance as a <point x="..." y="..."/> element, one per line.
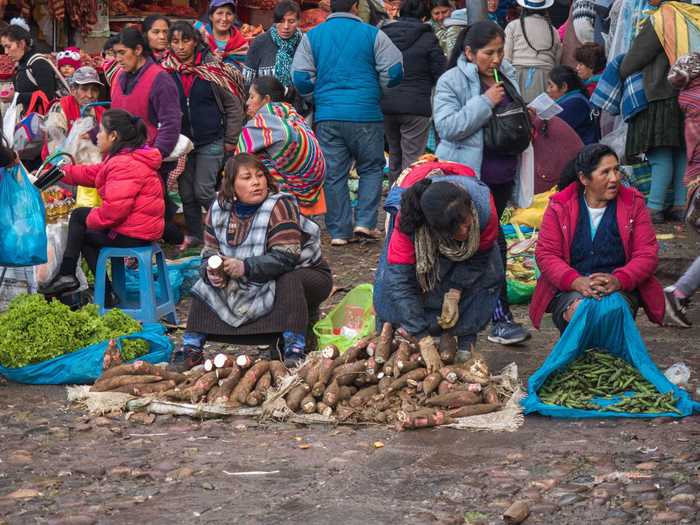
<point x="86" y="242"/>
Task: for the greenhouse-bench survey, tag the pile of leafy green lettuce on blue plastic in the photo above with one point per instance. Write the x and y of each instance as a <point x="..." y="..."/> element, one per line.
<point x="34" y="330"/>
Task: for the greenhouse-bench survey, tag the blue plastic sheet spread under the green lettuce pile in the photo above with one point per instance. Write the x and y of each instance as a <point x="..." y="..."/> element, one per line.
<point x="84" y="366"/>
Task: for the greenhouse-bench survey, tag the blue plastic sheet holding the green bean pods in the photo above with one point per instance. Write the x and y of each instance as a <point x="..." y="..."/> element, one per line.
<point x="606" y="324"/>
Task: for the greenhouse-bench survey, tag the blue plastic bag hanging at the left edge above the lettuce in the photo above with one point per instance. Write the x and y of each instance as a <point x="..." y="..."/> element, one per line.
<point x="22" y="220"/>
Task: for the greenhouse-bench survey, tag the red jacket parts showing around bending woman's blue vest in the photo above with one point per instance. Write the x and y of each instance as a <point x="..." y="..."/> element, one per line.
<point x="401" y="249"/>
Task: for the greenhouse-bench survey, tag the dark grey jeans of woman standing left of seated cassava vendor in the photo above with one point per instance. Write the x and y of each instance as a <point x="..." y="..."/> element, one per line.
<point x="197" y="184"/>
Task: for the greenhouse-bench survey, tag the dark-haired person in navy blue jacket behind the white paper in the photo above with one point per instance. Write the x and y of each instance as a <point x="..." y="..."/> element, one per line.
<point x="567" y="89"/>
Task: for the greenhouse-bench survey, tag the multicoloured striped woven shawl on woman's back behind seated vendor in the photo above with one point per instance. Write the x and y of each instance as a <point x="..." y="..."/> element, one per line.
<point x="284" y="141"/>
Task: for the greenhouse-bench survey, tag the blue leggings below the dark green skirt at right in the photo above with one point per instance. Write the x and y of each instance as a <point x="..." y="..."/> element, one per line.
<point x="667" y="169"/>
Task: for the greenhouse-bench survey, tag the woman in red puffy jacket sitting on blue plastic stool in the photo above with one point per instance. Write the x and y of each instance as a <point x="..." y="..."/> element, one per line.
<point x="131" y="213"/>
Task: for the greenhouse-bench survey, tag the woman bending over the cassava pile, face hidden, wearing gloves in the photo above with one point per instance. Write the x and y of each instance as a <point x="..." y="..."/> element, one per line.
<point x="441" y="270"/>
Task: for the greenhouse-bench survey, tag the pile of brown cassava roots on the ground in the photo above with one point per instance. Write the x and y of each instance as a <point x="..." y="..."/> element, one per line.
<point x="380" y="379"/>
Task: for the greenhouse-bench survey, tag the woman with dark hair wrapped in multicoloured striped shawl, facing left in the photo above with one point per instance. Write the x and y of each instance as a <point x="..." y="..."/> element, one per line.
<point x="285" y="143"/>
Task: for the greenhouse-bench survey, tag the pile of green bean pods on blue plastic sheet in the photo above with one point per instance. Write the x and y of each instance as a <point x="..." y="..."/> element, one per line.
<point x="599" y="374"/>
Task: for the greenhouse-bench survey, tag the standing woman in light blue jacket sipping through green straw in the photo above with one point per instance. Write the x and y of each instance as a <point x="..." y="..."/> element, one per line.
<point x="465" y="99"/>
